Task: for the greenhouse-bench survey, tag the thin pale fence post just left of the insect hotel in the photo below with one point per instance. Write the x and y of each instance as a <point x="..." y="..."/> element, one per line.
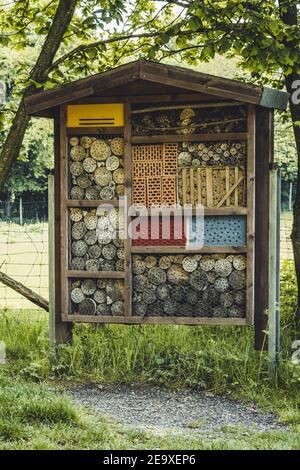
<point x="51" y="261"/>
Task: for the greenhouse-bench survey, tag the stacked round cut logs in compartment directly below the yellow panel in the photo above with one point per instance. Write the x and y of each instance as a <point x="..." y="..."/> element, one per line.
<point x="96" y="168"/>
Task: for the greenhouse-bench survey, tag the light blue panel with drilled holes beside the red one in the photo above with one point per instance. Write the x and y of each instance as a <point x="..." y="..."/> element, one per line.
<point x="221" y="231"/>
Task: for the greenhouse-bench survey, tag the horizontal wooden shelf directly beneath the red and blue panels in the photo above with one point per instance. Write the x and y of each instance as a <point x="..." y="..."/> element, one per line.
<point x="182" y="250"/>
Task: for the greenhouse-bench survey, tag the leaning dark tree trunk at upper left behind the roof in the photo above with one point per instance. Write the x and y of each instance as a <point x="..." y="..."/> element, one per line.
<point x="39" y="73"/>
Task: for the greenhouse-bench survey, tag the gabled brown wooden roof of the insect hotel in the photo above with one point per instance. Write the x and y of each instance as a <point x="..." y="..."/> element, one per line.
<point x="151" y="73"/>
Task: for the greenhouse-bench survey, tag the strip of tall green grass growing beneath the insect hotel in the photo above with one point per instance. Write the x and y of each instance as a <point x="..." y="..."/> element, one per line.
<point x="220" y="359"/>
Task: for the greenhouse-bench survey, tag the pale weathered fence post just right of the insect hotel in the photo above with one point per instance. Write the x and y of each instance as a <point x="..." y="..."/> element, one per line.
<point x="274" y="273"/>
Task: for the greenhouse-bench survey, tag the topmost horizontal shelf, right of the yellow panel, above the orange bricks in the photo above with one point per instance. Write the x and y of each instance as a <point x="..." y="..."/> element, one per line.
<point x="144" y="139"/>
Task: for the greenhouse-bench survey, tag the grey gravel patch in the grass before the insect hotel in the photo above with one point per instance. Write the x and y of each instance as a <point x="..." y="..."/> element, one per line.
<point x="163" y="411"/>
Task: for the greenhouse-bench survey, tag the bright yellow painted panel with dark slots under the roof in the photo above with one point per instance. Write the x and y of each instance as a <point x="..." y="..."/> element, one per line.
<point x="95" y="115"/>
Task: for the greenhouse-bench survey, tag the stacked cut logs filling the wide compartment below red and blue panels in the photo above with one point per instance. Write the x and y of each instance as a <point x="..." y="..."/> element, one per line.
<point x="189" y="286"/>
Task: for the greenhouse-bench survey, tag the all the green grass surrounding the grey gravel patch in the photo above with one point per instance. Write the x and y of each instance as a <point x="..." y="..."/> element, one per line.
<point x="218" y="359"/>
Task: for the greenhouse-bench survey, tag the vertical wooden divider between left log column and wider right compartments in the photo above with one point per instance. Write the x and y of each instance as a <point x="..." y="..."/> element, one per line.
<point x="127" y="241"/>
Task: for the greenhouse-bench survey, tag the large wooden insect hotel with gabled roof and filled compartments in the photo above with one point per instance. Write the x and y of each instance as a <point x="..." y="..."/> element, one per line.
<point x="160" y="136"/>
